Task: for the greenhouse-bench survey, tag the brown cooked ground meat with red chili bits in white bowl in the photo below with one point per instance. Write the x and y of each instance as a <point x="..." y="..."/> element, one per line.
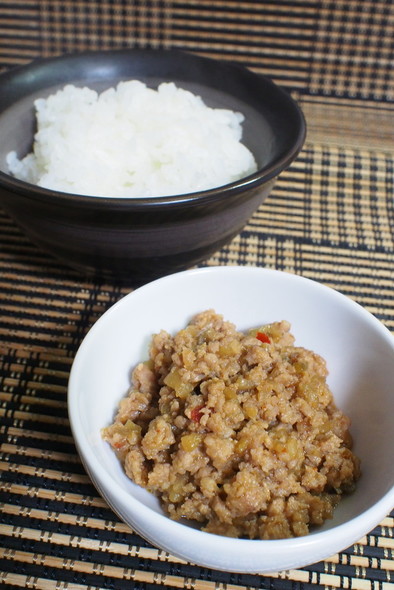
<point x="237" y="431"/>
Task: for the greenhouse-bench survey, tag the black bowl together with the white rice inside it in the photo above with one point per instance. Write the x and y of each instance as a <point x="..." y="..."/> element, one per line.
<point x="132" y="164"/>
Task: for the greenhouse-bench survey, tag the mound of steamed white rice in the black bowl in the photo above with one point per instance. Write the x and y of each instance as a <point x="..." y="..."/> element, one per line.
<point x="133" y="141"/>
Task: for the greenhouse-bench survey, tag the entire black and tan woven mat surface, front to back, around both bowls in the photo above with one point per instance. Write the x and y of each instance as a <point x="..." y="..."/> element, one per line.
<point x="330" y="218"/>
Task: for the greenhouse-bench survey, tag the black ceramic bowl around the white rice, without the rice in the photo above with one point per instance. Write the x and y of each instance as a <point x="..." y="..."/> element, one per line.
<point x="137" y="239"/>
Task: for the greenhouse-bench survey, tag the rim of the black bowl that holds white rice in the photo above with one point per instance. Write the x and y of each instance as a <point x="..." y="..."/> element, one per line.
<point x="250" y="182"/>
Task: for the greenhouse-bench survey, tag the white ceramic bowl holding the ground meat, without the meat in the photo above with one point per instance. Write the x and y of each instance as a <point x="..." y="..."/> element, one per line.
<point x="359" y="351"/>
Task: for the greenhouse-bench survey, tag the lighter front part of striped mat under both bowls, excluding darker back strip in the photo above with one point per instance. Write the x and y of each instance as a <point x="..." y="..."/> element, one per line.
<point x="330" y="218"/>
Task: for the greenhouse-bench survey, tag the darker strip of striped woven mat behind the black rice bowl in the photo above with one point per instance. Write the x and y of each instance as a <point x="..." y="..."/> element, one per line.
<point x="328" y="47"/>
